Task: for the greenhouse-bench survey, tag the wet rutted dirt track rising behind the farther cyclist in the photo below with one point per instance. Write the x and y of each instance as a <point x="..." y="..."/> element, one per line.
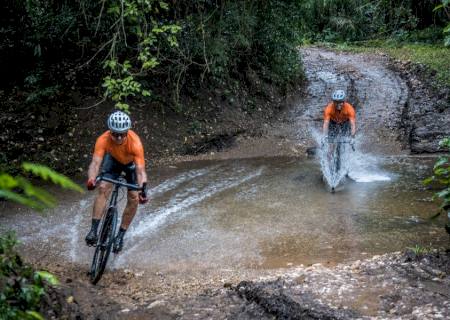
<point x="379" y="95"/>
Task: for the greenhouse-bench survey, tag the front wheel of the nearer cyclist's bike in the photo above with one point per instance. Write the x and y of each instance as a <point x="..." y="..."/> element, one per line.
<point x="104" y="245"/>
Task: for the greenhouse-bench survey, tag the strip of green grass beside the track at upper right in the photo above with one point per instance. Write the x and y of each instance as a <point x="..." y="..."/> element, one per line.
<point x="435" y="57"/>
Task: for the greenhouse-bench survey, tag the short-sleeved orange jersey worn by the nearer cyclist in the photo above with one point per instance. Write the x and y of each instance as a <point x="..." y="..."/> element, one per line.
<point x="130" y="150"/>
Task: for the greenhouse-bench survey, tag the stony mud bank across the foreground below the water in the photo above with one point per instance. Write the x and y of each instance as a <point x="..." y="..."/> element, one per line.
<point x="391" y="286"/>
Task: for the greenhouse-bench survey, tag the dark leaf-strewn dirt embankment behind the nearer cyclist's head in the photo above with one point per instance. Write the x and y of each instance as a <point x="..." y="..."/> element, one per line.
<point x="62" y="132"/>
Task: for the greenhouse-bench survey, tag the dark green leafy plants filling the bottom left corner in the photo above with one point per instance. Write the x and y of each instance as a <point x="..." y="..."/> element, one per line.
<point x="21" y="288"/>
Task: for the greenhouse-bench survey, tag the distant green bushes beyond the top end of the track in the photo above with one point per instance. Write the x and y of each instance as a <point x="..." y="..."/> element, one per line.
<point x="355" y="20"/>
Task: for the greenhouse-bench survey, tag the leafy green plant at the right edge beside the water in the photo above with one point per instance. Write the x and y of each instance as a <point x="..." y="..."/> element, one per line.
<point x="441" y="176"/>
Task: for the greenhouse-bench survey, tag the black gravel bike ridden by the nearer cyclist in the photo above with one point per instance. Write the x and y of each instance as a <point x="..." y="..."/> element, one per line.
<point x="108" y="229"/>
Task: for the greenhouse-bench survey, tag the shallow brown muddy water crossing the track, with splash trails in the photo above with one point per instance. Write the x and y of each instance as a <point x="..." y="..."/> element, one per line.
<point x="254" y="213"/>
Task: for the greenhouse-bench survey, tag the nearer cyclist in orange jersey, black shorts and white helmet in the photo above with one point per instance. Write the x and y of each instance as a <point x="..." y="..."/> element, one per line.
<point x="117" y="150"/>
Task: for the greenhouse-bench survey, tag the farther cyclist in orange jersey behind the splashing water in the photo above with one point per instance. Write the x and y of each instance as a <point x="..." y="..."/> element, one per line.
<point x="339" y="118"/>
